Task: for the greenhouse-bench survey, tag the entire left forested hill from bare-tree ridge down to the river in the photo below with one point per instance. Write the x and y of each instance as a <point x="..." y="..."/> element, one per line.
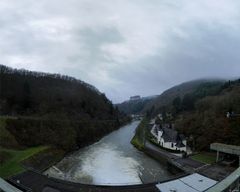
<point x="52" y="109"/>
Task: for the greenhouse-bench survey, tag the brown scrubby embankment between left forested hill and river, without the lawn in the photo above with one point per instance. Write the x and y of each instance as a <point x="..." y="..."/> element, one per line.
<point x="63" y="134"/>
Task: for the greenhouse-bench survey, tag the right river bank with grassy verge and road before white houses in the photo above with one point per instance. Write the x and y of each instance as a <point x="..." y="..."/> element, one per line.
<point x="198" y="163"/>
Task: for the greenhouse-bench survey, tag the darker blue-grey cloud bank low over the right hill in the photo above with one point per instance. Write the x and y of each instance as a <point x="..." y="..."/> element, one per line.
<point x="205" y="54"/>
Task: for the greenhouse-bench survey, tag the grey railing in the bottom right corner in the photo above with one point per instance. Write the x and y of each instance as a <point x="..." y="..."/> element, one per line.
<point x="229" y="184"/>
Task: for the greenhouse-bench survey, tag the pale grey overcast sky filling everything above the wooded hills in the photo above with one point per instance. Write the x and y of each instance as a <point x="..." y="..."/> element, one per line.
<point x="123" y="47"/>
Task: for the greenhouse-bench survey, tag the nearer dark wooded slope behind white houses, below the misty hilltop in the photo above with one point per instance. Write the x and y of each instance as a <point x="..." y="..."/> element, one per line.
<point x="205" y="118"/>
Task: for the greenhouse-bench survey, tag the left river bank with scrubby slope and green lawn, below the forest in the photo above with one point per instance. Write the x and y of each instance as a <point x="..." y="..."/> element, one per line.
<point x="18" y="135"/>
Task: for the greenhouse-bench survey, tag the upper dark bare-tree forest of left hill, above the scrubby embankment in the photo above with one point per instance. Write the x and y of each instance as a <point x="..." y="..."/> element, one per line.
<point x="27" y="93"/>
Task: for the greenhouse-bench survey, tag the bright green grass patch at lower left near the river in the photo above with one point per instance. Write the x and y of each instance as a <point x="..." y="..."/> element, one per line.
<point x="12" y="165"/>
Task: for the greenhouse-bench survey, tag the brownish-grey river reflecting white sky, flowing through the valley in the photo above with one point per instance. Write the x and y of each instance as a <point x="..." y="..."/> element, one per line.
<point x="111" y="161"/>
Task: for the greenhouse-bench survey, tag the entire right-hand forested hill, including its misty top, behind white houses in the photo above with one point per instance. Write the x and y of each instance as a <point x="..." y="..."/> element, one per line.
<point x="200" y="111"/>
